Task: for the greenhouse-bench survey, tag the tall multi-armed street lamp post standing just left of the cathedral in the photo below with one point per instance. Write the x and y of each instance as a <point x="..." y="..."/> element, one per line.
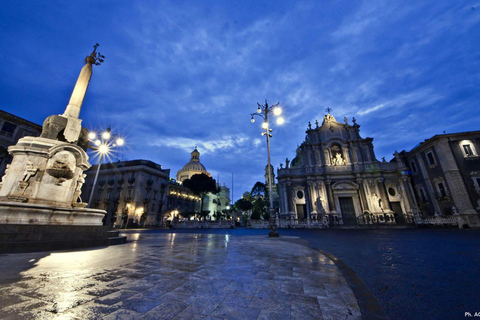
<point x="263" y="111"/>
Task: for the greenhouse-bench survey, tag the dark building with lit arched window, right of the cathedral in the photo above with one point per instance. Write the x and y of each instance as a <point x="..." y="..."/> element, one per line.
<point x="445" y="174"/>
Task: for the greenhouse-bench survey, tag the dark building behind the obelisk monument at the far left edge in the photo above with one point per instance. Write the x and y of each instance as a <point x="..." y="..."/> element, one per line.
<point x="12" y="128"/>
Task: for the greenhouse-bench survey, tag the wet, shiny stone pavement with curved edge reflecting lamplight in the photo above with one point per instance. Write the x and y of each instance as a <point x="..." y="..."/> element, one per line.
<point x="177" y="276"/>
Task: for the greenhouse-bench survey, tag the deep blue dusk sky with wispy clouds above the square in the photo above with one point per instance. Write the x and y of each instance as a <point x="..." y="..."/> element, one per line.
<point x="184" y="73"/>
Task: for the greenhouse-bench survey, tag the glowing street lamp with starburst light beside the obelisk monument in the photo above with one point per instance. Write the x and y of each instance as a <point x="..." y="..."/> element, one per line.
<point x="103" y="143"/>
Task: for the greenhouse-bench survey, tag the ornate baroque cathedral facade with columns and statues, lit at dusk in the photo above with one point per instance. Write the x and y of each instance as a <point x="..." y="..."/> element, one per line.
<point x="335" y="178"/>
